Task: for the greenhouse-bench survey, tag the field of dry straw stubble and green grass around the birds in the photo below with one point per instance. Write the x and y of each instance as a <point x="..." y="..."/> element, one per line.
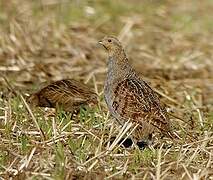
<point x="170" y="43"/>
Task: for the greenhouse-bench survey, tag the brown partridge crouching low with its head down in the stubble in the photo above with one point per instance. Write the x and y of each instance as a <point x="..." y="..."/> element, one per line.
<point x="68" y="94"/>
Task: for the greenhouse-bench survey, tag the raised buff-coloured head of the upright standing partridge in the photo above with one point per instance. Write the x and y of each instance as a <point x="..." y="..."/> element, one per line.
<point x="111" y="44"/>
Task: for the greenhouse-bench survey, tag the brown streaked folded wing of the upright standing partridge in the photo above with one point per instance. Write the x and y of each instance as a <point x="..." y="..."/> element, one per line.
<point x="135" y="99"/>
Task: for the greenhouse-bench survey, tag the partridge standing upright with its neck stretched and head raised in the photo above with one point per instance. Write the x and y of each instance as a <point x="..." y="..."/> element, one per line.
<point x="128" y="97"/>
